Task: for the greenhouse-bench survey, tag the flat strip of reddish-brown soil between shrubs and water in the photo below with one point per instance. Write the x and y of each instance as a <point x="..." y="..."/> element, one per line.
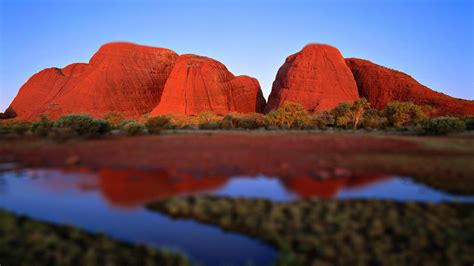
<point x="442" y="162"/>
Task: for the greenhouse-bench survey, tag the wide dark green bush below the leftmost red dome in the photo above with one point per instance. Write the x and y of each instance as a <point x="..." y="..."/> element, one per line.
<point x="83" y="125"/>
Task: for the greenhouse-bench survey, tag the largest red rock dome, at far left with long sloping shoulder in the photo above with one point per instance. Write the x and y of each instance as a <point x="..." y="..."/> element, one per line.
<point x="120" y="77"/>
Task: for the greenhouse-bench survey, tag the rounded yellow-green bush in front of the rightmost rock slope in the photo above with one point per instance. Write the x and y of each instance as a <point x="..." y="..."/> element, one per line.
<point x="403" y="114"/>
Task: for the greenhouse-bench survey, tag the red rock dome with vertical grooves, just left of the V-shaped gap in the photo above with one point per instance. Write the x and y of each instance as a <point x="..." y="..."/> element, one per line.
<point x="198" y="84"/>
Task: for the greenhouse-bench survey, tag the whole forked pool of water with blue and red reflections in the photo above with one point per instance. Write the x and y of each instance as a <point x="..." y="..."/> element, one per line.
<point x="113" y="204"/>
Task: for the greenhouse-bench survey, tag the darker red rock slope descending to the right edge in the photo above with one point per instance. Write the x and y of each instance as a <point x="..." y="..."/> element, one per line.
<point x="381" y="85"/>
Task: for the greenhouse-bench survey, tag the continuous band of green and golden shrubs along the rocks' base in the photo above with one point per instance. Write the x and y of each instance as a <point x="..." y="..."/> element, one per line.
<point x="398" y="116"/>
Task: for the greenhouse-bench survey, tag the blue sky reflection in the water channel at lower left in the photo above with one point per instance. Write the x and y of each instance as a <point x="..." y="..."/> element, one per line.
<point x="206" y="244"/>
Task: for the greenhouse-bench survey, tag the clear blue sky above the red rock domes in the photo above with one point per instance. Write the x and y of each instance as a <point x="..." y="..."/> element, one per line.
<point x="432" y="40"/>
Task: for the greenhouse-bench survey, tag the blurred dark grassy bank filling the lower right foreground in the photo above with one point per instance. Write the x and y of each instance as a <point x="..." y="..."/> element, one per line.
<point x="318" y="232"/>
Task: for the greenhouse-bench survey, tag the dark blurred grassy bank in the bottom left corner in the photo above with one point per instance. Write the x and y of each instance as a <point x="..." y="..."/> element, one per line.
<point x="25" y="241"/>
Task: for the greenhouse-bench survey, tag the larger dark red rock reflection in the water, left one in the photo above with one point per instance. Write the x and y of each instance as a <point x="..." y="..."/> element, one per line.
<point x="129" y="187"/>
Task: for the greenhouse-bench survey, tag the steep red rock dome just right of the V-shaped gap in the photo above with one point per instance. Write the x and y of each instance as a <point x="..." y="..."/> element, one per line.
<point x="316" y="77"/>
